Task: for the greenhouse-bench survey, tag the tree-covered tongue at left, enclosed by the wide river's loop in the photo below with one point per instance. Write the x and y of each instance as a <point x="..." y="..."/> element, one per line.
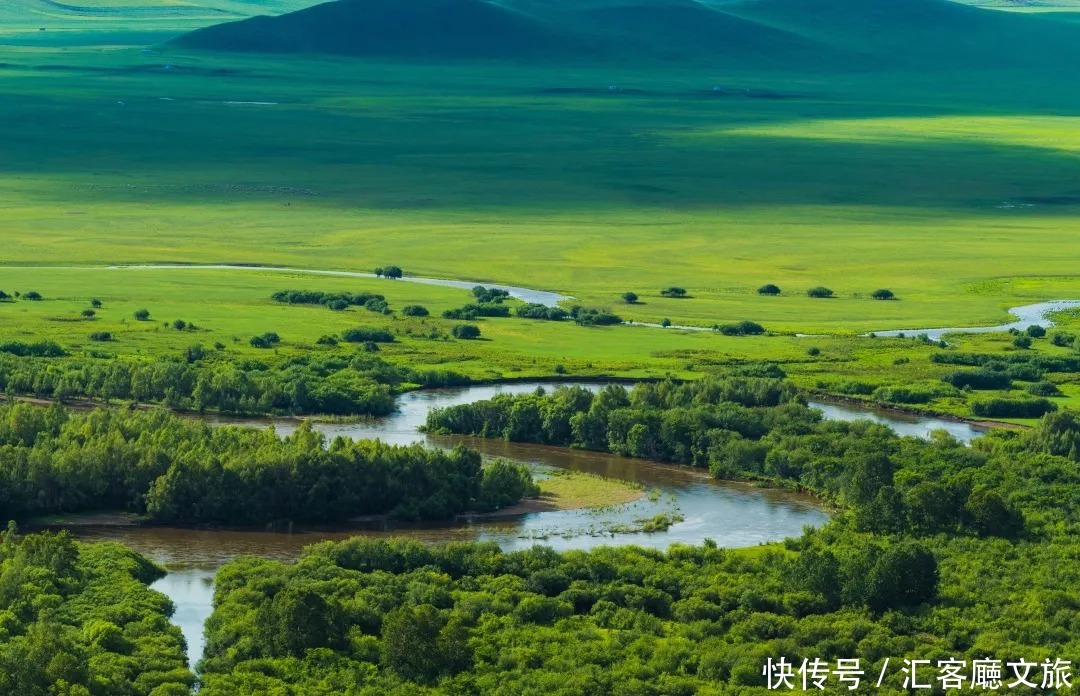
<point x="178" y="471"/>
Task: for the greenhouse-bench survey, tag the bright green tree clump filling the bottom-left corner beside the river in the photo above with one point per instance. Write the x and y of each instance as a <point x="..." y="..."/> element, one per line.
<point x="78" y="620"/>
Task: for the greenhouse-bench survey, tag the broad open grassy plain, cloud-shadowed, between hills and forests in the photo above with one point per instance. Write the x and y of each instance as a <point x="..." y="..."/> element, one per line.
<point x="956" y="192"/>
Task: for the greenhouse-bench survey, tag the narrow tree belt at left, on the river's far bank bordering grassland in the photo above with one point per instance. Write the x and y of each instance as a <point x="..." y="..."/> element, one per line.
<point x="206" y="380"/>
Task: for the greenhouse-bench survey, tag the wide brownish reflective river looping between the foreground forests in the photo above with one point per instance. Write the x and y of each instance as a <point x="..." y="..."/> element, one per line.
<point x="731" y="514"/>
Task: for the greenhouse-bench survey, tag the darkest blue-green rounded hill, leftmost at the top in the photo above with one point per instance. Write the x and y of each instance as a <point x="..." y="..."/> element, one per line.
<point x="435" y="30"/>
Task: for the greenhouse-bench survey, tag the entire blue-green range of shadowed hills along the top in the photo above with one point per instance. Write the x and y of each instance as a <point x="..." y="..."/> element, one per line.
<point x="789" y="34"/>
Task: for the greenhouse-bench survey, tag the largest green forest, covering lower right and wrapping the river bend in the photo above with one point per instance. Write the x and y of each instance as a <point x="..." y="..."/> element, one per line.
<point x="938" y="552"/>
